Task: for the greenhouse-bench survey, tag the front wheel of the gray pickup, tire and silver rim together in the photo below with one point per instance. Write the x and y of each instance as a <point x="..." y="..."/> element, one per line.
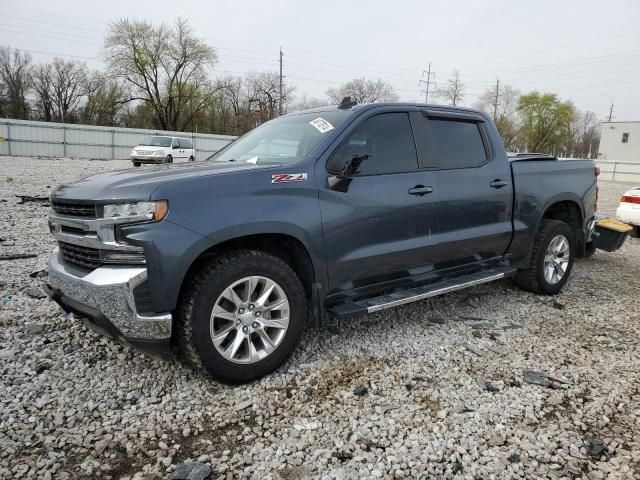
<point x="241" y="316"/>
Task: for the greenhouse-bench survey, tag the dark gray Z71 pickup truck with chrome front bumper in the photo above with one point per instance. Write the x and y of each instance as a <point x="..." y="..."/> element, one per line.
<point x="337" y="211"/>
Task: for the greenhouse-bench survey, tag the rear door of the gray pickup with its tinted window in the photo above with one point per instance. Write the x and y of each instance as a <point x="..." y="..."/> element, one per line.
<point x="475" y="192"/>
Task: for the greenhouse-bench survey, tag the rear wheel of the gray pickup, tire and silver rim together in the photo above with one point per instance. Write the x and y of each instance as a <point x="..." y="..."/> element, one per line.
<point x="551" y="260"/>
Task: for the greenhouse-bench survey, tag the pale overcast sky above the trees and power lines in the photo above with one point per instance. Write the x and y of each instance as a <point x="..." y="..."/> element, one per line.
<point x="585" y="51"/>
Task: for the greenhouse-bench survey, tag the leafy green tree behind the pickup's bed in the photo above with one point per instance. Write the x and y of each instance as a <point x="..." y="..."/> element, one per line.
<point x="545" y="123"/>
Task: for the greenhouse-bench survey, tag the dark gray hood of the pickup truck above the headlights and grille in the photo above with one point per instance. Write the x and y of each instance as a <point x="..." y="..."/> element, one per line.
<point x="138" y="184"/>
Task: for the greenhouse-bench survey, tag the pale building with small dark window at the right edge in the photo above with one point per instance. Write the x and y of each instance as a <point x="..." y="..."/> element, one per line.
<point x="620" y="141"/>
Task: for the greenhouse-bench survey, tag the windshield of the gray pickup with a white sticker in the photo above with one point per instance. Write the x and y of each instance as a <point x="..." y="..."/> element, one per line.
<point x="283" y="140"/>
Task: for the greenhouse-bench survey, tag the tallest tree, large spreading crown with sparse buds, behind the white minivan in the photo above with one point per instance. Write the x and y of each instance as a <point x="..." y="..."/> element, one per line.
<point x="167" y="67"/>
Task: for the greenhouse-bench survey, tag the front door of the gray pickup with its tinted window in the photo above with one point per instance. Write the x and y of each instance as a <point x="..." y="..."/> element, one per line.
<point x="376" y="223"/>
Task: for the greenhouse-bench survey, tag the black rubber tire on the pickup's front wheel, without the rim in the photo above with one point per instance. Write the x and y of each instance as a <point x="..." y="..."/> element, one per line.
<point x="202" y="291"/>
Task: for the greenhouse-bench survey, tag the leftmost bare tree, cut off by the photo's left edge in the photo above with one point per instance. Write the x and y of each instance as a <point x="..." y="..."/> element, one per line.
<point x="15" y="78"/>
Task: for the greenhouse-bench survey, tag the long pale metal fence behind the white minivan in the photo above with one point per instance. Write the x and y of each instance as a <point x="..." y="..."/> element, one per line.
<point x="46" y="139"/>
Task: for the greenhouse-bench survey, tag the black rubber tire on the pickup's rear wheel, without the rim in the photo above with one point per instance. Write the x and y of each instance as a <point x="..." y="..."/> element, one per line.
<point x="533" y="279"/>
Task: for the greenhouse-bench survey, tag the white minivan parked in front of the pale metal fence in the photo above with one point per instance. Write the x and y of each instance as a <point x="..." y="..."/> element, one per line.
<point x="162" y="149"/>
